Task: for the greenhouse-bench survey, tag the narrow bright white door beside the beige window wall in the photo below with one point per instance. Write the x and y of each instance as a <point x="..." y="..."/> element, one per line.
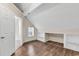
<point x="18" y="32"/>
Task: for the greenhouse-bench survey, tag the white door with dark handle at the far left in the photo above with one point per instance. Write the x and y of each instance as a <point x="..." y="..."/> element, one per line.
<point x="7" y="38"/>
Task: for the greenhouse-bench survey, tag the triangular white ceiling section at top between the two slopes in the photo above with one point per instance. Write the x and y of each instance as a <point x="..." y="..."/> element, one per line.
<point x="27" y="7"/>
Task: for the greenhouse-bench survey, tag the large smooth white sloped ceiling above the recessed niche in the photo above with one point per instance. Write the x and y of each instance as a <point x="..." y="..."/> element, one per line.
<point x="55" y="17"/>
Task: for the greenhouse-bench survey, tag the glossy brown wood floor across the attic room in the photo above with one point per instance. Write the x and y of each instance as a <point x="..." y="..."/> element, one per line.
<point x="37" y="48"/>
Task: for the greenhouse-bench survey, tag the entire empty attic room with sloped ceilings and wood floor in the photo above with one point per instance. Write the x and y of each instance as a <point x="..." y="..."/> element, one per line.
<point x="39" y="29"/>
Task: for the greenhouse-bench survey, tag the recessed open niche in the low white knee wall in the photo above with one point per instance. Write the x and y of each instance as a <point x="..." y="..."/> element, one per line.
<point x="55" y="37"/>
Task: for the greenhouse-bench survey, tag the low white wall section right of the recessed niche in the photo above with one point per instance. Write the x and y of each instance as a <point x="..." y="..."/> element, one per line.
<point x="71" y="41"/>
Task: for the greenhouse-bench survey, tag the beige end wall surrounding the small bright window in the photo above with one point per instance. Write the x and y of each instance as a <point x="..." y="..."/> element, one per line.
<point x="26" y="24"/>
